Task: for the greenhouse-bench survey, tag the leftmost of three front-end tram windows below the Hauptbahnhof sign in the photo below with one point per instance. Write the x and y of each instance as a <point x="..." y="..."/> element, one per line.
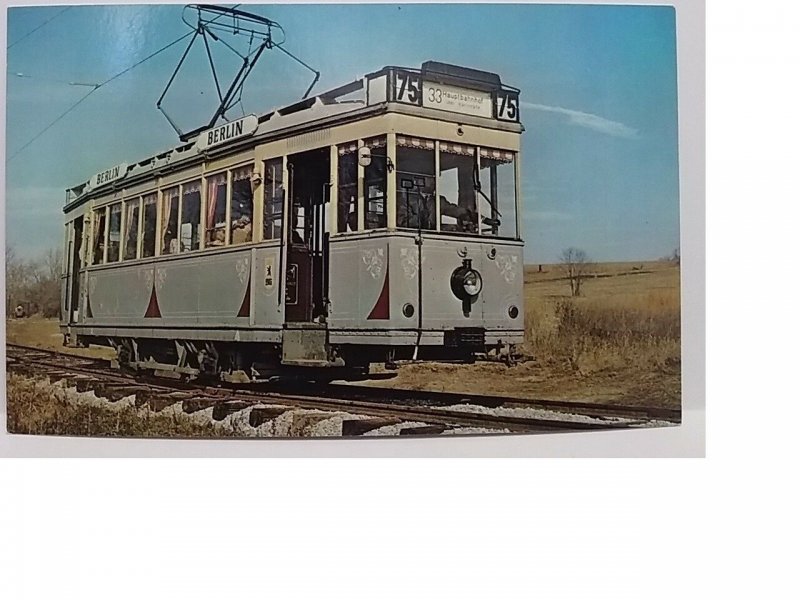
<point x="416" y="183"/>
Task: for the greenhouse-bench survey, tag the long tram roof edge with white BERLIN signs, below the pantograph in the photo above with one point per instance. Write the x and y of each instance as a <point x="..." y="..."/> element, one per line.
<point x="351" y="100"/>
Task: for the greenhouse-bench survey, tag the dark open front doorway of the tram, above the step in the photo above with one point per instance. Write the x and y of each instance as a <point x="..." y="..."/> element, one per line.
<point x="307" y="257"/>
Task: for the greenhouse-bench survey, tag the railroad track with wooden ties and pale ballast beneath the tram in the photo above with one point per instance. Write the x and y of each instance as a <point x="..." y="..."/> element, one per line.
<point x="363" y="410"/>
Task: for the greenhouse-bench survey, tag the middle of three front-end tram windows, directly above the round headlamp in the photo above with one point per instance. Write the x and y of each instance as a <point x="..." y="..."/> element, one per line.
<point x="458" y="211"/>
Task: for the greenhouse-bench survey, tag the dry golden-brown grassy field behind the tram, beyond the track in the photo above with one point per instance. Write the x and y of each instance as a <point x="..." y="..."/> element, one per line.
<point x="632" y="360"/>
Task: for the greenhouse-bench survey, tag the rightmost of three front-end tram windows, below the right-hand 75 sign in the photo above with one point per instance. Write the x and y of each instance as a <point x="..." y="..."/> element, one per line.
<point x="497" y="202"/>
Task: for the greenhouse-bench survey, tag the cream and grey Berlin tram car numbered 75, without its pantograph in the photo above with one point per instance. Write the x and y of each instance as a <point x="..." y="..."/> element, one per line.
<point x="376" y="222"/>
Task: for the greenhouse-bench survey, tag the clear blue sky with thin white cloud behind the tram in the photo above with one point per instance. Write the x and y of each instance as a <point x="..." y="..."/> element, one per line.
<point x="598" y="94"/>
